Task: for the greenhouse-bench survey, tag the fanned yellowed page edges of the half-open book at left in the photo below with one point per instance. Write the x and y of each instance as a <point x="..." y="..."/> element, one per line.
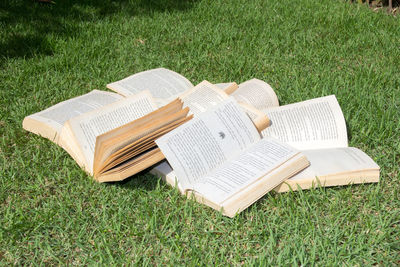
<point x="121" y="147"/>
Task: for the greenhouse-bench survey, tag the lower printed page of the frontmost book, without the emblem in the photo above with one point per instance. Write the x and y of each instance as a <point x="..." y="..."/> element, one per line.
<point x="254" y="163"/>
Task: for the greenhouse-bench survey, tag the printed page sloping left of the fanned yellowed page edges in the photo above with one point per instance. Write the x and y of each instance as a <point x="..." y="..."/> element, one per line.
<point x="88" y="126"/>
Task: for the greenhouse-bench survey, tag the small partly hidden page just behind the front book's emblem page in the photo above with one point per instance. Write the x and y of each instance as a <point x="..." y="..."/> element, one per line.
<point x="202" y="97"/>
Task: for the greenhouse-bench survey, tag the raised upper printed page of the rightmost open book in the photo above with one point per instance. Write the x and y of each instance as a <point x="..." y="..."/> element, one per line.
<point x="312" y="124"/>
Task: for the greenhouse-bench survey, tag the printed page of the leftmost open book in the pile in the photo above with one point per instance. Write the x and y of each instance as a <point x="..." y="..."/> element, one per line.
<point x="55" y="116"/>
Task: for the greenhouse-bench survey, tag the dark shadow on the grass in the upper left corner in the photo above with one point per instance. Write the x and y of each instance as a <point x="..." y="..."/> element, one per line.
<point x="27" y="25"/>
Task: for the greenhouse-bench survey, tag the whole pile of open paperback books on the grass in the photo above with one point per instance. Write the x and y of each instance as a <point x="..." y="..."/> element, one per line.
<point x="219" y="157"/>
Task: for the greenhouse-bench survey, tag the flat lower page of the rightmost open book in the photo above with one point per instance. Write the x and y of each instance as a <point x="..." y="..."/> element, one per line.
<point x="325" y="162"/>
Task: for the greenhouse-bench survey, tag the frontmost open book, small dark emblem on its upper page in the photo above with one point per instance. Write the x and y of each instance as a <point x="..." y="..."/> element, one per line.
<point x="220" y="158"/>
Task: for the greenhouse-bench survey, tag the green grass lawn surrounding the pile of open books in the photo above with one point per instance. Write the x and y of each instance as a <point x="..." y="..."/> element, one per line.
<point x="52" y="213"/>
